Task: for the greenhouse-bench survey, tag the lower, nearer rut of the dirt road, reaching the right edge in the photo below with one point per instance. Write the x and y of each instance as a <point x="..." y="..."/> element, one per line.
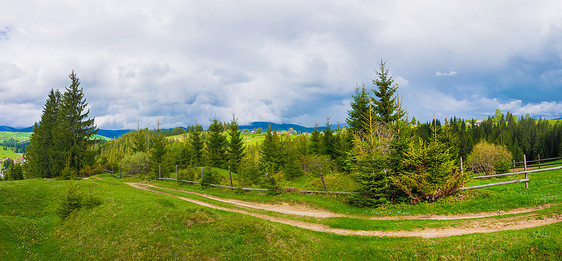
<point x="476" y="226"/>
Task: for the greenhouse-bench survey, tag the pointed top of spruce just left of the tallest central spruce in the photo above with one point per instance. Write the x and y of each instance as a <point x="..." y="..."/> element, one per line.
<point x="359" y="110"/>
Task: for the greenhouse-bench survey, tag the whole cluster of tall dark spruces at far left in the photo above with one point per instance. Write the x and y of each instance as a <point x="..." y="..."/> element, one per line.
<point x="64" y="135"/>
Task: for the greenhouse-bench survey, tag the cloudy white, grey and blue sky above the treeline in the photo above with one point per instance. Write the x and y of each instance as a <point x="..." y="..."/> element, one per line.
<point x="181" y="62"/>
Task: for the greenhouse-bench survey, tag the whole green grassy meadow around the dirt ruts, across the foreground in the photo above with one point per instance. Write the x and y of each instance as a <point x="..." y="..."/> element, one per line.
<point x="136" y="224"/>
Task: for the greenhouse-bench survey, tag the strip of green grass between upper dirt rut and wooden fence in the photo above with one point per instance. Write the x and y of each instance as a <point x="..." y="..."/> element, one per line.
<point x="544" y="188"/>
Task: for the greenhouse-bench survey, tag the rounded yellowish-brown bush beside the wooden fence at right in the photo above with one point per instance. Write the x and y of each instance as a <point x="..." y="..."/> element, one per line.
<point x="487" y="158"/>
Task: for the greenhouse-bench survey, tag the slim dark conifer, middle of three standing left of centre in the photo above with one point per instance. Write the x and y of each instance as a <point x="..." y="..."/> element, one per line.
<point x="216" y="144"/>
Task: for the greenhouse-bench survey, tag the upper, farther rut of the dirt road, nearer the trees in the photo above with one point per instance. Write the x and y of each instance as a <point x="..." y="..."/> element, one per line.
<point x="302" y="210"/>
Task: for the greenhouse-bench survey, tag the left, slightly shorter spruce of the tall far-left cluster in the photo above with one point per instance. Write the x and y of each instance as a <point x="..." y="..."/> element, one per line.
<point x="38" y="154"/>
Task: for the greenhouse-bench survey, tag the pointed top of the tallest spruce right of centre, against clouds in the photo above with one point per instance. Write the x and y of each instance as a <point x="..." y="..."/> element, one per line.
<point x="385" y="96"/>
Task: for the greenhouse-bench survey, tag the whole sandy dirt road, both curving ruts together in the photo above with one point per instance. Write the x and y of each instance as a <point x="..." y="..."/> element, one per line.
<point x="471" y="226"/>
